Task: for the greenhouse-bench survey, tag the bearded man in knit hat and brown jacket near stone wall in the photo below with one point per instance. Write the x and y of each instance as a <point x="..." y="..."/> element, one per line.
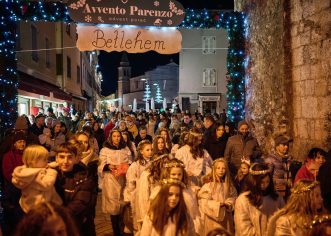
<point x="241" y="146"/>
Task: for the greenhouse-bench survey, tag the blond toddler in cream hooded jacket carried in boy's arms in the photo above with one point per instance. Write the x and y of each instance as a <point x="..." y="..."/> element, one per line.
<point x="35" y="179"/>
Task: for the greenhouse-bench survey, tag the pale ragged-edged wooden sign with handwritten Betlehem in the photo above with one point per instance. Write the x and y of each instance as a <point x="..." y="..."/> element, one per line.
<point x="132" y="40"/>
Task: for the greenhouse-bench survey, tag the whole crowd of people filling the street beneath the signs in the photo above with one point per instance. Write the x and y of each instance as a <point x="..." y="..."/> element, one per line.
<point x="158" y="173"/>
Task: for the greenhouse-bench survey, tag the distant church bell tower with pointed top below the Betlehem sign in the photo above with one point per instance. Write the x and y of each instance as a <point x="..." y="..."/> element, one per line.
<point x="124" y="75"/>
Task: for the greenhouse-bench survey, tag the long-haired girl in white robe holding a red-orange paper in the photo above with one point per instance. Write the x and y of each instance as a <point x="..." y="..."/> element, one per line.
<point x="114" y="161"/>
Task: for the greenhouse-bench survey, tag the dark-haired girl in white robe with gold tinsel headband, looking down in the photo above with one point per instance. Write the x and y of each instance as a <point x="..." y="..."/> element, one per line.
<point x="254" y="207"/>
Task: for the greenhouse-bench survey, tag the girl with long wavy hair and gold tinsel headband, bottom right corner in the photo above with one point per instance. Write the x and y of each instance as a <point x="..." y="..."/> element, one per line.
<point x="295" y="218"/>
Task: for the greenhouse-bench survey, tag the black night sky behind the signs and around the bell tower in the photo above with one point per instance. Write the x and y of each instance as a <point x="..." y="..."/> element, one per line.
<point x="141" y="62"/>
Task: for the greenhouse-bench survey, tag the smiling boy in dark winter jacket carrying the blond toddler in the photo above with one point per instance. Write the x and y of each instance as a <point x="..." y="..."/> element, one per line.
<point x="76" y="188"/>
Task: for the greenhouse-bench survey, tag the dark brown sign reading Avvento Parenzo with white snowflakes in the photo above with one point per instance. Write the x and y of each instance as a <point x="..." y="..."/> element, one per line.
<point x="165" y="13"/>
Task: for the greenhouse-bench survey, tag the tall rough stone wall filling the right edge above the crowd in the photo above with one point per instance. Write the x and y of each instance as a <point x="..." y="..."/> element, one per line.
<point x="288" y="82"/>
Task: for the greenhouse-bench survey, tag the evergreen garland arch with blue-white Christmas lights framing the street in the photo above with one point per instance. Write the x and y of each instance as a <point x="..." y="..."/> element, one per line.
<point x="13" y="11"/>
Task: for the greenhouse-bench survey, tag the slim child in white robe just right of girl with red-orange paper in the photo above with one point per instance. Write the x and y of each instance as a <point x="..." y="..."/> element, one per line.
<point x="135" y="170"/>
